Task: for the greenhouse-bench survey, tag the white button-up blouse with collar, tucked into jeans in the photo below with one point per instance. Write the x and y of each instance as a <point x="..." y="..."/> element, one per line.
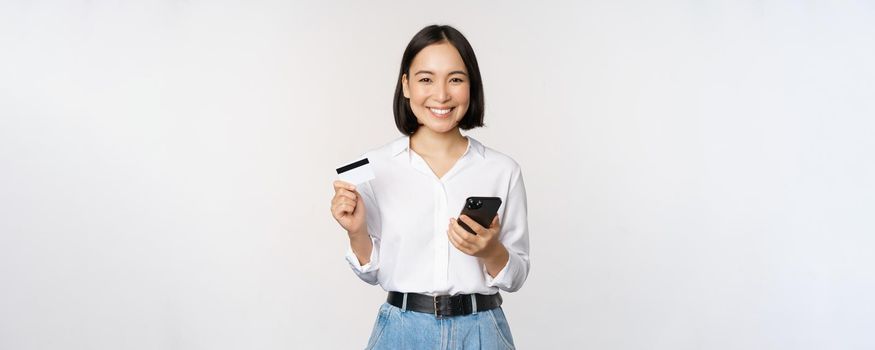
<point x="408" y="209"/>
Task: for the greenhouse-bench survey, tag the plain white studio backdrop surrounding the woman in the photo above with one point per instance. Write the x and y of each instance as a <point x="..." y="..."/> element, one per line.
<point x="700" y="173"/>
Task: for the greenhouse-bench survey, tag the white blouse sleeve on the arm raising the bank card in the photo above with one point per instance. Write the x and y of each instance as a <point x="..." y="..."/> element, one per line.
<point x="368" y="272"/>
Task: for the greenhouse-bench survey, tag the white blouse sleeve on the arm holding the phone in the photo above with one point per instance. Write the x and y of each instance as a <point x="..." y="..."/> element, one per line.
<point x="515" y="237"/>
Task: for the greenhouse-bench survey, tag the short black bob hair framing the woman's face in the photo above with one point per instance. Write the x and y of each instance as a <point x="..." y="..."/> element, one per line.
<point x="405" y="120"/>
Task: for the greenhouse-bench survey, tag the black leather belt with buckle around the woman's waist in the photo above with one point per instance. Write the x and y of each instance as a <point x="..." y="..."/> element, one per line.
<point x="445" y="305"/>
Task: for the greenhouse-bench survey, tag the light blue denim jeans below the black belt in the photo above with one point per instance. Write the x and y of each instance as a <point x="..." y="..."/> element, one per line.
<point x="396" y="329"/>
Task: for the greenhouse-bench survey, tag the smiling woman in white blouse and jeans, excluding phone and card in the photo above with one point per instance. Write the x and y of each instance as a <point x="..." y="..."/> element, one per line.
<point x="443" y="281"/>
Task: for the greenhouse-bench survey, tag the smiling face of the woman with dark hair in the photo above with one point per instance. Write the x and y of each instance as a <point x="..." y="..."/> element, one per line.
<point x="438" y="87"/>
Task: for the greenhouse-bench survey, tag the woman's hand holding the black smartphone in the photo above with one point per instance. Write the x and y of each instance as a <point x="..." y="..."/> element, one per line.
<point x="484" y="244"/>
